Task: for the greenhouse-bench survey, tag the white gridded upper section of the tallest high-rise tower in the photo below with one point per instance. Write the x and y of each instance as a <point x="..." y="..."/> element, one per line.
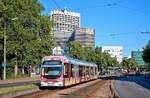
<point x="64" y="20"/>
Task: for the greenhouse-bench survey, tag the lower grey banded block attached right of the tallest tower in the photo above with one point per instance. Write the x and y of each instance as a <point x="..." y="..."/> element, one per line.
<point x="85" y="36"/>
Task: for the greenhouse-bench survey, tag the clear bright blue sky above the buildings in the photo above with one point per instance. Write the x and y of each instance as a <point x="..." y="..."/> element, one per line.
<point x="116" y="22"/>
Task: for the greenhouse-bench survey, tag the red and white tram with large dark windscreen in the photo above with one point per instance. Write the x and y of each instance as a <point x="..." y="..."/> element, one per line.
<point x="61" y="71"/>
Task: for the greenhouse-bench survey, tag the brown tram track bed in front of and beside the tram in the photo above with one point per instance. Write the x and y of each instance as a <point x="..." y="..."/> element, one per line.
<point x="85" y="90"/>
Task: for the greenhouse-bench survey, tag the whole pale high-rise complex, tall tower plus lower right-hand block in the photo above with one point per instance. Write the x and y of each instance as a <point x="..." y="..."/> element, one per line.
<point x="66" y="27"/>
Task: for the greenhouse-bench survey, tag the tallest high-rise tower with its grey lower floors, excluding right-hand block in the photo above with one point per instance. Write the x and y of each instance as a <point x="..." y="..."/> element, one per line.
<point x="64" y="24"/>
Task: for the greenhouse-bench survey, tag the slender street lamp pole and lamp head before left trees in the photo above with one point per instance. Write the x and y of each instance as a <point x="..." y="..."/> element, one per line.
<point x="5" y="37"/>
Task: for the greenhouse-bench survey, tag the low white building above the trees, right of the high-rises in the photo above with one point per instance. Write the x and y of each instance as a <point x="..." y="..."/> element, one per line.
<point x="114" y="51"/>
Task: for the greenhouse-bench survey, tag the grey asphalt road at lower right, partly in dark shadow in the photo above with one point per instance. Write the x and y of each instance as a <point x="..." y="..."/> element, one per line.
<point x="133" y="87"/>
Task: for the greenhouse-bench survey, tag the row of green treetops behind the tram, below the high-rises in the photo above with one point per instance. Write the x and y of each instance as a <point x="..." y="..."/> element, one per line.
<point x="77" y="50"/>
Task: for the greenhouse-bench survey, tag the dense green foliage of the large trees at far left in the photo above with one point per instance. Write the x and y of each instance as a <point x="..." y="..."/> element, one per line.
<point x="28" y="33"/>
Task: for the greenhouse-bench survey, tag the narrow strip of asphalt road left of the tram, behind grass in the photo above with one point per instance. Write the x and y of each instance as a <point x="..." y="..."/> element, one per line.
<point x="19" y="83"/>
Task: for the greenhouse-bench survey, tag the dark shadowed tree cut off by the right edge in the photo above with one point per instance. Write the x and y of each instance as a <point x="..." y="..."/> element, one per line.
<point x="146" y="54"/>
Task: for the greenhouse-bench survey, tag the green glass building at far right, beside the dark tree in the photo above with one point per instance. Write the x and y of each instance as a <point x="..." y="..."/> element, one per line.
<point x="137" y="55"/>
